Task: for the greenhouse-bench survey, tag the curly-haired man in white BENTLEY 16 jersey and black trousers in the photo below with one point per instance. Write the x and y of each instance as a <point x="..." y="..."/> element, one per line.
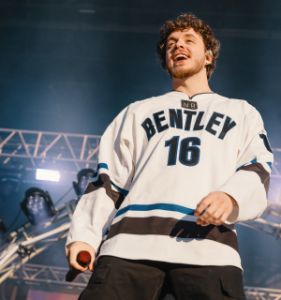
<point x="175" y="173"/>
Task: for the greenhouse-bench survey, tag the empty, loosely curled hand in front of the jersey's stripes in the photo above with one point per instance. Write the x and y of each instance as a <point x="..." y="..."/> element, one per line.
<point x="217" y="205"/>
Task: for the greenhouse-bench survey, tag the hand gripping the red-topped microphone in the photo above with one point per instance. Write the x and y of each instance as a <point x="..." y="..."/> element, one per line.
<point x="71" y="254"/>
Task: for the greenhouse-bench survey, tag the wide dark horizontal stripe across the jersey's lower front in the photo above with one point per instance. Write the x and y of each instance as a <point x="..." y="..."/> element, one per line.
<point x="174" y="228"/>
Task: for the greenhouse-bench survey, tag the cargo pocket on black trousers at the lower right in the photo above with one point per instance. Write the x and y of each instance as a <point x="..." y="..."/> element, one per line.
<point x="232" y="285"/>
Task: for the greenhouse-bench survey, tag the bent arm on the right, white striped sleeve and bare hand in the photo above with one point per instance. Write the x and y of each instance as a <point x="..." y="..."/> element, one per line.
<point x="243" y="197"/>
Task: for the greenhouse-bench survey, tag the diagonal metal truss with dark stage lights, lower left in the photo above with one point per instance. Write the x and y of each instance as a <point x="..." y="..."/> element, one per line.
<point x="47" y="225"/>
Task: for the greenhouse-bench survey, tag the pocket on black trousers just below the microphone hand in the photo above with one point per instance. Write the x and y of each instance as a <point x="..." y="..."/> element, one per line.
<point x="96" y="284"/>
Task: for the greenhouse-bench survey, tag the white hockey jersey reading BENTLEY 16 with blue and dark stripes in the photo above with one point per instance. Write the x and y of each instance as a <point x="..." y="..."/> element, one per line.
<point x="157" y="160"/>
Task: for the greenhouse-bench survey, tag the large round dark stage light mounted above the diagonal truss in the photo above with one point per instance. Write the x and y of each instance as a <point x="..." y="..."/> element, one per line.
<point x="37" y="205"/>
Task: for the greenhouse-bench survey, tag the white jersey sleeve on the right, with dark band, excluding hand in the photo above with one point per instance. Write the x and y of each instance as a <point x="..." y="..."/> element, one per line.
<point x="250" y="183"/>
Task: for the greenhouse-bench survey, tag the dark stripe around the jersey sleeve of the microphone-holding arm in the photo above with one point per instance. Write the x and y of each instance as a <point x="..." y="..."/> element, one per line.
<point x="104" y="182"/>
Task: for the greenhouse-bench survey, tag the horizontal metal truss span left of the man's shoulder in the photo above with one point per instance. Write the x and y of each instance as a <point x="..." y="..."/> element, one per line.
<point x="31" y="149"/>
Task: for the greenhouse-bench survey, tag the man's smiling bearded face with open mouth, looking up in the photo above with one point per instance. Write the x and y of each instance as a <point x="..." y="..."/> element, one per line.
<point x="185" y="54"/>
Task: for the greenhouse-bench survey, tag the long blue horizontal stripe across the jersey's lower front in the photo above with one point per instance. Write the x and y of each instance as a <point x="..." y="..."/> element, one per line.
<point x="161" y="206"/>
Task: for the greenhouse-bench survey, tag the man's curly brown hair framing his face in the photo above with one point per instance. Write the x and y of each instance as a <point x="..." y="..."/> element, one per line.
<point x="186" y="21"/>
